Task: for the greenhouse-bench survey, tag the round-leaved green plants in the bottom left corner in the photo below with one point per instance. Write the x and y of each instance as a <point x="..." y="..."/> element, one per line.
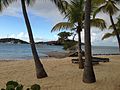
<point x="13" y="85"/>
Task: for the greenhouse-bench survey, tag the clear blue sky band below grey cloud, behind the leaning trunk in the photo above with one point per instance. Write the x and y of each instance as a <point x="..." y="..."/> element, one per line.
<point x="13" y="26"/>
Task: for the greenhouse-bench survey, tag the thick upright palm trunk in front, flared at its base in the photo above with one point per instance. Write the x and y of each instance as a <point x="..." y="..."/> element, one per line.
<point x="88" y="75"/>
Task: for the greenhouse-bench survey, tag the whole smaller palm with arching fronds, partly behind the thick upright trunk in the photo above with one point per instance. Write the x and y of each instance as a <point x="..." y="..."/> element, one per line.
<point x="75" y="15"/>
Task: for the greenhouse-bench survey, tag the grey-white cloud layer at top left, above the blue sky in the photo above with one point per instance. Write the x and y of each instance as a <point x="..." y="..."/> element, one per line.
<point x="44" y="9"/>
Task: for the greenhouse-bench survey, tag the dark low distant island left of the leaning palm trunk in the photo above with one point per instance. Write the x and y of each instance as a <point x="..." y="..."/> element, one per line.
<point x="12" y="41"/>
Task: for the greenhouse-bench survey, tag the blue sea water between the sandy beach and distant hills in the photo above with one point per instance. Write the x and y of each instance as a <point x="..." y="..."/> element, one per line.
<point x="23" y="51"/>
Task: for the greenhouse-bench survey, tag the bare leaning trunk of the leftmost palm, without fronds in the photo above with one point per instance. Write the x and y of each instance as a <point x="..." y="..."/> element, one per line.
<point x="40" y="72"/>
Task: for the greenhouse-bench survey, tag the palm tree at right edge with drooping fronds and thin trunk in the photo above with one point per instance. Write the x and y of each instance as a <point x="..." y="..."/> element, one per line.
<point x="110" y="8"/>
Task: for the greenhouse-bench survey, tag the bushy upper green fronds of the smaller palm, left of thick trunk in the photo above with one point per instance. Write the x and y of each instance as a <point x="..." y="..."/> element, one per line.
<point x="75" y="11"/>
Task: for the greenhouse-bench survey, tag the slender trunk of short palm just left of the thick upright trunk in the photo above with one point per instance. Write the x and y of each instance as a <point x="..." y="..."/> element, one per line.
<point x="81" y="64"/>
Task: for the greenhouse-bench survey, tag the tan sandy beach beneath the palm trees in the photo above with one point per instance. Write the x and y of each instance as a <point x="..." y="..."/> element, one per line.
<point x="62" y="74"/>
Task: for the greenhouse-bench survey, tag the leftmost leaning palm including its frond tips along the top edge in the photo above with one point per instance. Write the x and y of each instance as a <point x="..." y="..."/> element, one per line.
<point x="40" y="72"/>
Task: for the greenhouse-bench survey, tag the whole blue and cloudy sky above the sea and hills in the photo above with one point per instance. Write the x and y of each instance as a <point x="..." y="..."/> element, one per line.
<point x="43" y="15"/>
